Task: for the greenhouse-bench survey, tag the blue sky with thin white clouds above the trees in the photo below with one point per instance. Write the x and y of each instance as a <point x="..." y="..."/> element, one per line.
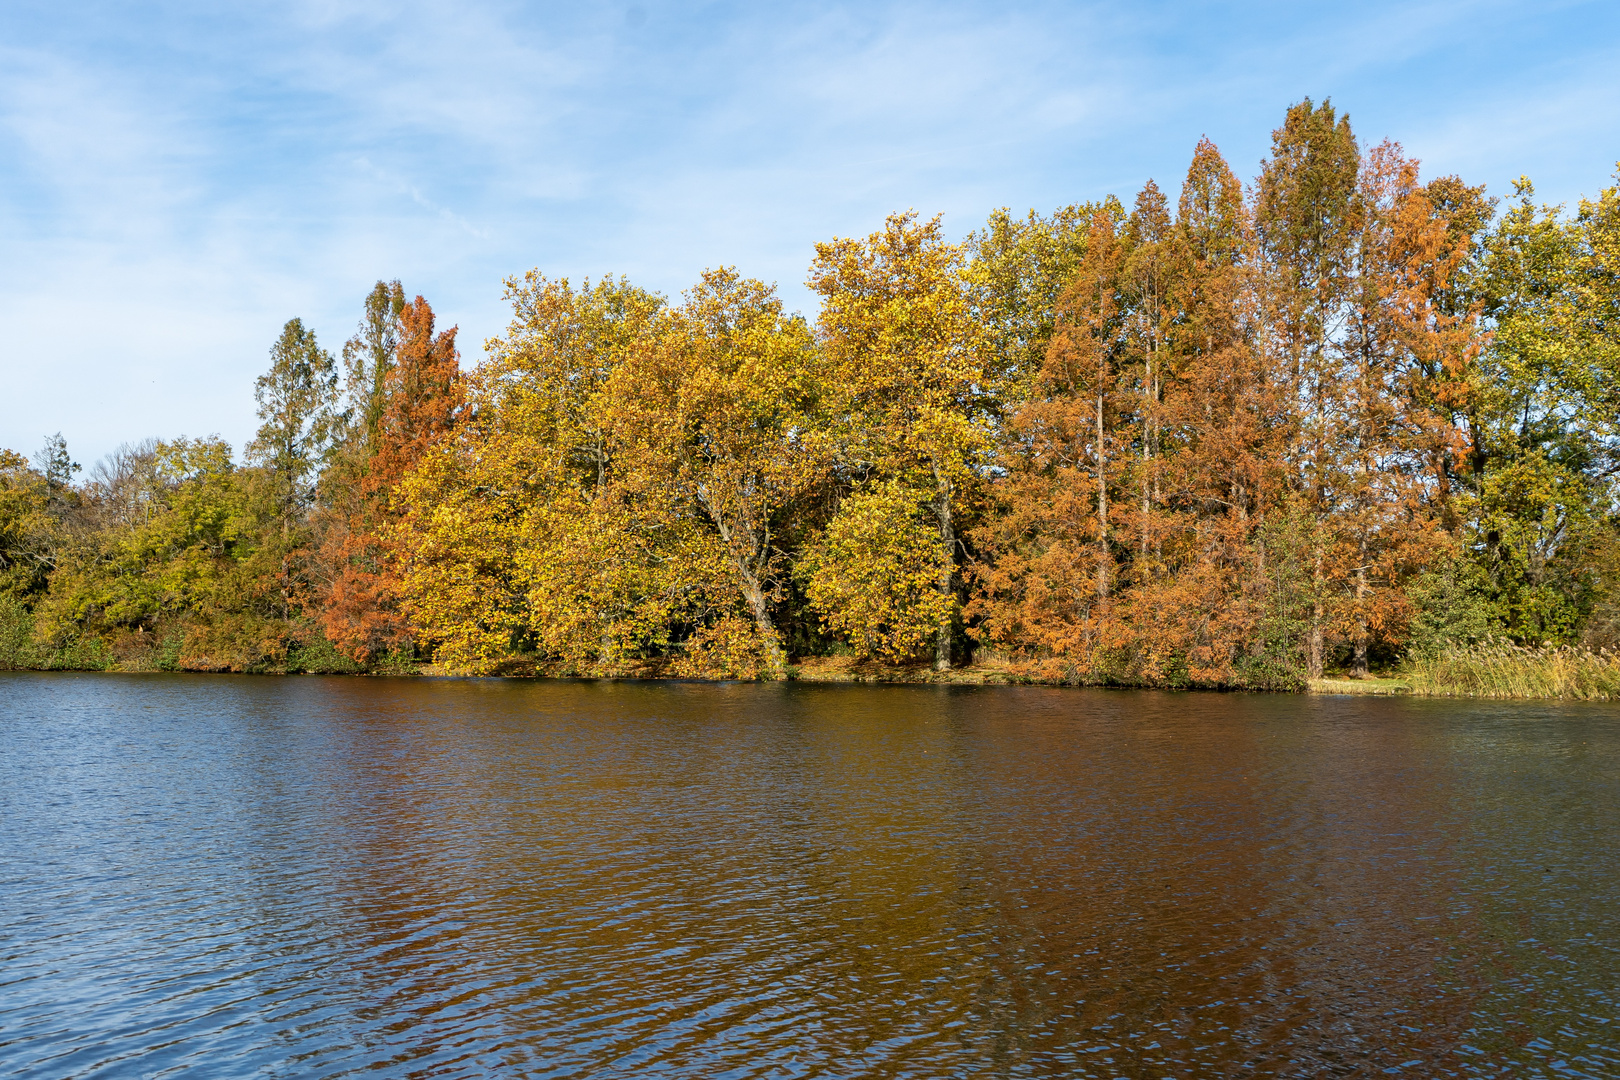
<point x="181" y="179"/>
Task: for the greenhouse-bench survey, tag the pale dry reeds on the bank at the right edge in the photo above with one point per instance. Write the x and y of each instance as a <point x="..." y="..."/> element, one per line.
<point x="1501" y="670"/>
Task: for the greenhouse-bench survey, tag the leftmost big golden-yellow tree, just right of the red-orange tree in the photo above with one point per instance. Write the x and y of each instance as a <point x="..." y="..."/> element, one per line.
<point x="518" y="543"/>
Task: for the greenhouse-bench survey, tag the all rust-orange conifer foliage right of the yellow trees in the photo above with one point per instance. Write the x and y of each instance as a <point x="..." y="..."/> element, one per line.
<point x="1192" y="478"/>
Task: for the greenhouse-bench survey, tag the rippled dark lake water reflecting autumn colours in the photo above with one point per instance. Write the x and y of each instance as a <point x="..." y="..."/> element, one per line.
<point x="438" y="878"/>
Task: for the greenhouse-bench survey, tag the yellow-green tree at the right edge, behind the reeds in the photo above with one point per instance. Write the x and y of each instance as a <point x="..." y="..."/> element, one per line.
<point x="1545" y="419"/>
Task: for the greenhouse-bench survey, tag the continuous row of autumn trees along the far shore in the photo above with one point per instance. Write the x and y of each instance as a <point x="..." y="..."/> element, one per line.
<point x="1242" y="436"/>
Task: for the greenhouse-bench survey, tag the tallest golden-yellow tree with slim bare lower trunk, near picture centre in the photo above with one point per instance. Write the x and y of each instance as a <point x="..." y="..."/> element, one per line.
<point x="906" y="355"/>
